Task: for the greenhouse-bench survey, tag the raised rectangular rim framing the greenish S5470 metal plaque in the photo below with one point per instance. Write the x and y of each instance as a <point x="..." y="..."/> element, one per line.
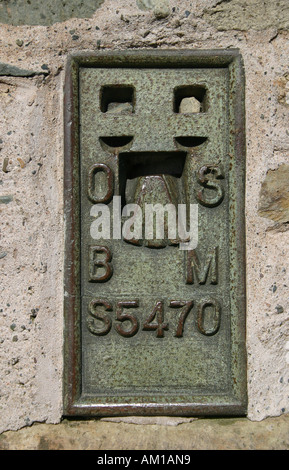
<point x="74" y="404"/>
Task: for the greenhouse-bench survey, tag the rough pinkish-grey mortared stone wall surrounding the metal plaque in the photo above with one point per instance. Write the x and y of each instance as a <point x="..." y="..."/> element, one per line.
<point x="36" y="38"/>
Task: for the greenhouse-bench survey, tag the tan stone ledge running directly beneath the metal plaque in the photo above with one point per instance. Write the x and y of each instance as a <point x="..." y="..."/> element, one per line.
<point x="203" y="434"/>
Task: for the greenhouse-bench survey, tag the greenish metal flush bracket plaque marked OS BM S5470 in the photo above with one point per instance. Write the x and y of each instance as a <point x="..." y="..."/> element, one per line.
<point x="150" y="328"/>
